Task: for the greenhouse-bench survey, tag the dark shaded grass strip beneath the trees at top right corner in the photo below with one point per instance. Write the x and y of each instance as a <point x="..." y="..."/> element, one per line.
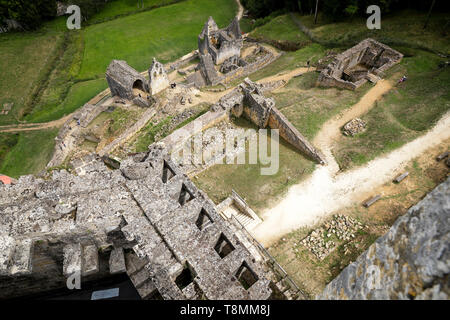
<point x="404" y="27"/>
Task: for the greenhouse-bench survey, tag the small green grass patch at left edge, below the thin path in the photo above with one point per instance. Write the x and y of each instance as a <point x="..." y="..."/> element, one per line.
<point x="30" y="154"/>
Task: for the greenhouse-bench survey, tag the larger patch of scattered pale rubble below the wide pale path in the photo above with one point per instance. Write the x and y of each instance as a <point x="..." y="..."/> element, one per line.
<point x="342" y="227"/>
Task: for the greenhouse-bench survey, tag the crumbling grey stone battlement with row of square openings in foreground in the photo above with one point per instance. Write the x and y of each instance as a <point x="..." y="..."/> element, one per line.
<point x="186" y="248"/>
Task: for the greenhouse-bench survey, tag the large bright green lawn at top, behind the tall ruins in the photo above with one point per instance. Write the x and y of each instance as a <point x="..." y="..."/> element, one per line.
<point x="165" y="33"/>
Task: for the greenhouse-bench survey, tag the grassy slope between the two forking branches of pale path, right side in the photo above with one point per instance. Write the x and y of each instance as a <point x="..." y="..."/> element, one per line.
<point x="403" y="114"/>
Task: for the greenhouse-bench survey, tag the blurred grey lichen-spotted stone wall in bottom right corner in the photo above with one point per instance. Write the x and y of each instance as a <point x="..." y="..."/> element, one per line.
<point x="411" y="261"/>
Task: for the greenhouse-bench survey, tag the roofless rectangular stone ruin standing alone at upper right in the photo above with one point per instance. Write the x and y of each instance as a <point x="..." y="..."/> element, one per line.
<point x="367" y="61"/>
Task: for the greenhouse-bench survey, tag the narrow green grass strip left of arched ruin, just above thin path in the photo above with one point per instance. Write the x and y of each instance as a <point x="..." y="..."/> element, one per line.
<point x="78" y="95"/>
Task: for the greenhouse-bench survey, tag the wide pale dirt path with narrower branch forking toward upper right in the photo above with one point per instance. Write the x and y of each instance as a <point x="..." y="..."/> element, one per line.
<point x="326" y="191"/>
